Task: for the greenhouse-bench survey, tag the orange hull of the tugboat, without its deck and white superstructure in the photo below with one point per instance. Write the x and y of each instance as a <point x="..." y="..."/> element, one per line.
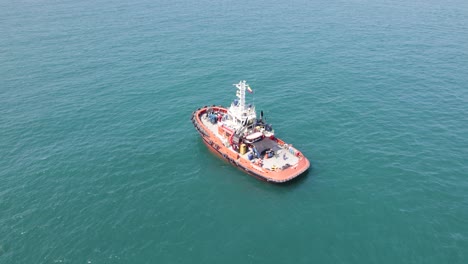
<point x="215" y="144"/>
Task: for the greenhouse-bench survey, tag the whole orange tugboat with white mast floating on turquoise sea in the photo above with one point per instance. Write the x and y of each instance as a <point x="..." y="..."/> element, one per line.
<point x="247" y="142"/>
